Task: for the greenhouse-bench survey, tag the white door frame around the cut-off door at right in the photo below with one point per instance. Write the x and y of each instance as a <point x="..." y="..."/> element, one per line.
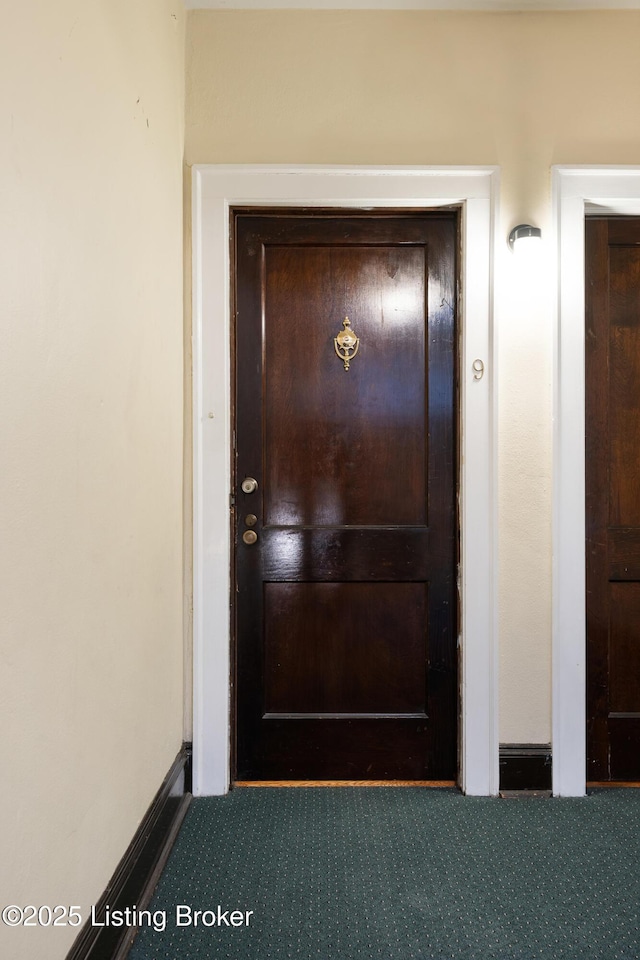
<point x="575" y="189"/>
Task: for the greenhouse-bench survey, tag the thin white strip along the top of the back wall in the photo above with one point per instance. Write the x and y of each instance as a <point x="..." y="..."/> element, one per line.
<point x="533" y="6"/>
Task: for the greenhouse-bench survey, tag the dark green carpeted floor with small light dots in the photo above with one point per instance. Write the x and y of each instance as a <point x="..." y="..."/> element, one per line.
<point x="402" y="874"/>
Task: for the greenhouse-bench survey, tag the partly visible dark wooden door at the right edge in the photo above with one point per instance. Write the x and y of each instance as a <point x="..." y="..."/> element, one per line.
<point x="612" y="371"/>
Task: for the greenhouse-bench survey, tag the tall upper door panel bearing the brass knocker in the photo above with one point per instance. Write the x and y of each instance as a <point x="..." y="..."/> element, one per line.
<point x="363" y="426"/>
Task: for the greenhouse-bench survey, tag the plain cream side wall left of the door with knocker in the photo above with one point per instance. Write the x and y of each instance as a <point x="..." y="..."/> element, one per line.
<point x="91" y="107"/>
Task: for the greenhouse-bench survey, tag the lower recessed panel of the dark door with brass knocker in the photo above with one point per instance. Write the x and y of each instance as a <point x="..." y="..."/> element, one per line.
<point x="313" y="666"/>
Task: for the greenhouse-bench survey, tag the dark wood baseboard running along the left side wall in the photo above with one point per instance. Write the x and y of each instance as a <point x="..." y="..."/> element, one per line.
<point x="138" y="872"/>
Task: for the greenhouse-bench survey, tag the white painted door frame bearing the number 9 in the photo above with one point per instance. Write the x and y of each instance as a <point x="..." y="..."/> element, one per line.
<point x="215" y="190"/>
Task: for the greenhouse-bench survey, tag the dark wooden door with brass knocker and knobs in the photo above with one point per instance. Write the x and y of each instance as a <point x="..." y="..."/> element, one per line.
<point x="346" y="602"/>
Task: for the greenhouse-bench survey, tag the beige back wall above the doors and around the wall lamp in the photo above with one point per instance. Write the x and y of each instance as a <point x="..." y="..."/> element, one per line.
<point x="523" y="91"/>
